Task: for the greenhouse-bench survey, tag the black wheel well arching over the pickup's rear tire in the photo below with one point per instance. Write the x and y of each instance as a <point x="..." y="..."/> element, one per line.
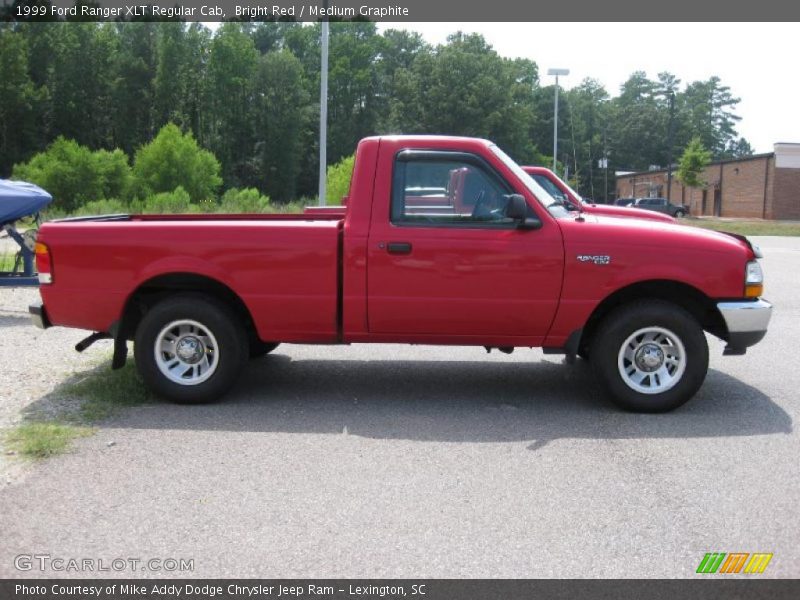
<point x="154" y="290"/>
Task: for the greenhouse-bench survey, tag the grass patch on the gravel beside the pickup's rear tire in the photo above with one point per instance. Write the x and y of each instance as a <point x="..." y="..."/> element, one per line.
<point x="74" y="407"/>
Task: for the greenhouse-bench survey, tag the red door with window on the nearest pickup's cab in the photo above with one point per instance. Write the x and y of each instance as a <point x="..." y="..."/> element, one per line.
<point x="464" y="269"/>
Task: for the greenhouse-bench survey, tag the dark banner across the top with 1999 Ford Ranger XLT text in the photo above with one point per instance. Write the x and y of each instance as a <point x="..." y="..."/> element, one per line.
<point x="401" y="10"/>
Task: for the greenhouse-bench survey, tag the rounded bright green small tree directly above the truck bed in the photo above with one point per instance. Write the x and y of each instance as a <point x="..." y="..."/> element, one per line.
<point x="174" y="159"/>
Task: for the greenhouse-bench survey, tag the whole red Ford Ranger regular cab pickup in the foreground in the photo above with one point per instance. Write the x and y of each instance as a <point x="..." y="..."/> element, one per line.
<point x="444" y="240"/>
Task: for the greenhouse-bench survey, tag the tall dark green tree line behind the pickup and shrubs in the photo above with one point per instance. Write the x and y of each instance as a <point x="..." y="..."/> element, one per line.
<point x="248" y="93"/>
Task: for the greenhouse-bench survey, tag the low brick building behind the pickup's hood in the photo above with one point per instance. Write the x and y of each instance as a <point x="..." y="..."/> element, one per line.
<point x="762" y="186"/>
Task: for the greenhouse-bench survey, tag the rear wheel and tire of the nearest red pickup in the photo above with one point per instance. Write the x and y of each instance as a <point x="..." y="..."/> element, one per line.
<point x="212" y="354"/>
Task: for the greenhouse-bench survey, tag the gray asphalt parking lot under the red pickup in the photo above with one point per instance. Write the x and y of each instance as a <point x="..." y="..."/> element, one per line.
<point x="396" y="461"/>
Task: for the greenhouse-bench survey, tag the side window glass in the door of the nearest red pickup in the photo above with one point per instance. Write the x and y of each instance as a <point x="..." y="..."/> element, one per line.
<point x="445" y="192"/>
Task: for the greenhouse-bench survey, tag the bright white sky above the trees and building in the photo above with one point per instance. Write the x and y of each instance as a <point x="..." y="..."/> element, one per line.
<point x="758" y="61"/>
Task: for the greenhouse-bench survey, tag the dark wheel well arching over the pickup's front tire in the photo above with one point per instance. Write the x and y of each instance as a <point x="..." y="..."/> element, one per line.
<point x="701" y="307"/>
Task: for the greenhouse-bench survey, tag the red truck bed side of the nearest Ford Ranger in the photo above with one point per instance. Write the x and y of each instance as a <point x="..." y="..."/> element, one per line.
<point x="283" y="267"/>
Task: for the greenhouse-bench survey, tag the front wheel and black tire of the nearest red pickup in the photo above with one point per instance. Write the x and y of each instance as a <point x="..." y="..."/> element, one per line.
<point x="650" y="356"/>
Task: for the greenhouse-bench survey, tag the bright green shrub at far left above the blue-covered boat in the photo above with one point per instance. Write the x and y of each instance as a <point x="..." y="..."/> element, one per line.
<point x="75" y="175"/>
